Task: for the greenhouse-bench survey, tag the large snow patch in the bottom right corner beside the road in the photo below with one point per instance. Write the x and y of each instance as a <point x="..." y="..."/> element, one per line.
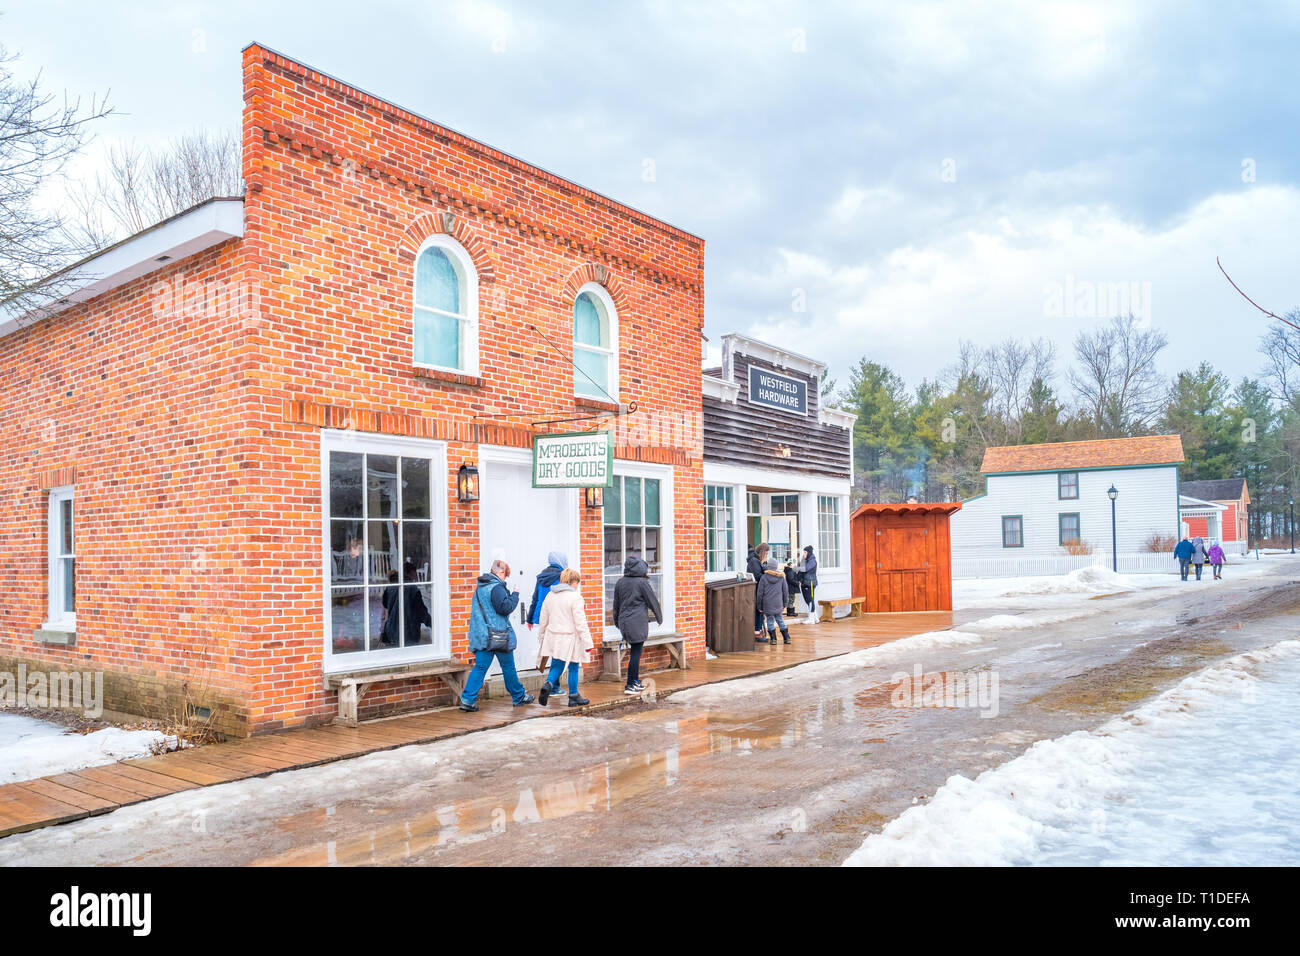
<point x="1152" y="788"/>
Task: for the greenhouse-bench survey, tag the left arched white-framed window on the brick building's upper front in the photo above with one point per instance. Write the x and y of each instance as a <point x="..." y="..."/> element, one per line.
<point x="447" y="308"/>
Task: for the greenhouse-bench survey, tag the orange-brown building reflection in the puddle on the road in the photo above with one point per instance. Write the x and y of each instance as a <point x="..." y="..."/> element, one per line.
<point x="597" y="789"/>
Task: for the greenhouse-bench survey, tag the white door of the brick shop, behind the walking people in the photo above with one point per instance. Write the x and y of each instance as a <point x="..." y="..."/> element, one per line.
<point x="526" y="524"/>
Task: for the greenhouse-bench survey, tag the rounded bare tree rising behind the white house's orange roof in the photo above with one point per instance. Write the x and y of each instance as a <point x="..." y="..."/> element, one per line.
<point x="1117" y="384"/>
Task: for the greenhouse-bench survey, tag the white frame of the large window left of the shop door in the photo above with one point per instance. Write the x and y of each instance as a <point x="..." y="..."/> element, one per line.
<point x="440" y="609"/>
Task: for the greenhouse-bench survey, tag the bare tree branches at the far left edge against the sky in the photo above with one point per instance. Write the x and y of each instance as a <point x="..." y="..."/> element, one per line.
<point x="38" y="136"/>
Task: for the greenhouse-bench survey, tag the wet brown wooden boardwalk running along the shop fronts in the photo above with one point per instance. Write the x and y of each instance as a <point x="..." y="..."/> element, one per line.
<point x="64" y="798"/>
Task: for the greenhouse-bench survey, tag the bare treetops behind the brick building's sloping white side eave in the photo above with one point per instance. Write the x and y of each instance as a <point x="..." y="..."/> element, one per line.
<point x="141" y="188"/>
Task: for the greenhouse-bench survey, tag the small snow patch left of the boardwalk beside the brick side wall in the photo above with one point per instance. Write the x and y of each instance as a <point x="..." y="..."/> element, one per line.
<point x="32" y="749"/>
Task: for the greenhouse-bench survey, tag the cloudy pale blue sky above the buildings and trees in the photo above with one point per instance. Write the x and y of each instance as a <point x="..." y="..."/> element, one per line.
<point x="876" y="179"/>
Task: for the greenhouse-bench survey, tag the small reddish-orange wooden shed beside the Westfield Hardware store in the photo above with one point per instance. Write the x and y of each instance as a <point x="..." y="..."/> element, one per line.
<point x="903" y="556"/>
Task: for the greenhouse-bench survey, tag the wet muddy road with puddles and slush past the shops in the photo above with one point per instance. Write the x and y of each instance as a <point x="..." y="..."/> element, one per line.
<point x="795" y="768"/>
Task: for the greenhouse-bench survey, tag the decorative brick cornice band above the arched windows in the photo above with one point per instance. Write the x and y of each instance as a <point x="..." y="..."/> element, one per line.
<point x="463" y="204"/>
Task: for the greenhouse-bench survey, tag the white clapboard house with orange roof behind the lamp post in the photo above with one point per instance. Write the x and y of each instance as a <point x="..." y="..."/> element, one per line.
<point x="1045" y="507"/>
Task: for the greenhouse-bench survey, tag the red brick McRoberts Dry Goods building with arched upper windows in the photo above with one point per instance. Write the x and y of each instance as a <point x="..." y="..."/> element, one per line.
<point x="249" y="419"/>
